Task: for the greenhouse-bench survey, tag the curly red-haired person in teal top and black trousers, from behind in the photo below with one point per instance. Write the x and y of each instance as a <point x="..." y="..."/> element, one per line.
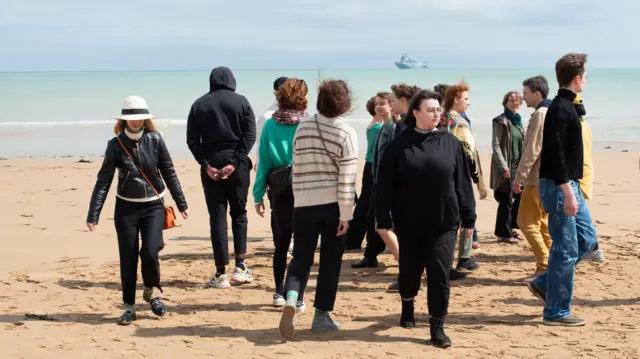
<point x="274" y="170"/>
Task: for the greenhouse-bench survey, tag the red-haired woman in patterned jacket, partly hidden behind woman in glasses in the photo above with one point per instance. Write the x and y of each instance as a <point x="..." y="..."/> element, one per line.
<point x="457" y="101"/>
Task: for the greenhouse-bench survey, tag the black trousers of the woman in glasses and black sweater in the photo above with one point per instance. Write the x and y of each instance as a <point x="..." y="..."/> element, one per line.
<point x="433" y="252"/>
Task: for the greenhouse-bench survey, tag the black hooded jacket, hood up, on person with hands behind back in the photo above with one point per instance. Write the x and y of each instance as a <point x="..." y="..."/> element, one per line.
<point x="221" y="127"/>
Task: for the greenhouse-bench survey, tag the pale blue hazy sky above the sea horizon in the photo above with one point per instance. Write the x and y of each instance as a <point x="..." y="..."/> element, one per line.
<point x="46" y="35"/>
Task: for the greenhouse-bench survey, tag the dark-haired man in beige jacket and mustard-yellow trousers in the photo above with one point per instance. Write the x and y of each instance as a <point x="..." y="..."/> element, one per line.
<point x="532" y="219"/>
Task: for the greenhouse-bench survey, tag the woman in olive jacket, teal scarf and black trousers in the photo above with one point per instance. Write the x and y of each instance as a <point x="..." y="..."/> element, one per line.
<point x="507" y="140"/>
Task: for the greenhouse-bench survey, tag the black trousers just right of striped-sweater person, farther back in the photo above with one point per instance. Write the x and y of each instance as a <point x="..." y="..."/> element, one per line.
<point x="363" y="221"/>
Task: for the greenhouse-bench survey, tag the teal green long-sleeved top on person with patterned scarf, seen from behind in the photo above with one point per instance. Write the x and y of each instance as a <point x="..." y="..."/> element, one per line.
<point x="276" y="150"/>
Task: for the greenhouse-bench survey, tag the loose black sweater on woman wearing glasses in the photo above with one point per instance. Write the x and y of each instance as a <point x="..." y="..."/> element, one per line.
<point x="424" y="182"/>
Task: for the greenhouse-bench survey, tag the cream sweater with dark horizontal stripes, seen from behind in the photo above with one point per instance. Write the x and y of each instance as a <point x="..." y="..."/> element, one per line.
<point x="316" y="179"/>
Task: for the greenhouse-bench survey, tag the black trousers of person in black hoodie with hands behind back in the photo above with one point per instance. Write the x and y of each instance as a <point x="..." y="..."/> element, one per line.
<point x="233" y="193"/>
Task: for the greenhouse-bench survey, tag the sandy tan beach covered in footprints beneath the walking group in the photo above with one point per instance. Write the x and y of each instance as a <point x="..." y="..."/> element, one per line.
<point x="50" y="264"/>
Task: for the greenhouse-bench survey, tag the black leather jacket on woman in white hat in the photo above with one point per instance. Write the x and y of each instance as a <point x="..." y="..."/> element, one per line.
<point x="151" y="154"/>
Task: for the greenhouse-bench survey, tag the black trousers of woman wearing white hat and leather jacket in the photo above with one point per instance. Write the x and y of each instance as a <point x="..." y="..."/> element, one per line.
<point x="134" y="220"/>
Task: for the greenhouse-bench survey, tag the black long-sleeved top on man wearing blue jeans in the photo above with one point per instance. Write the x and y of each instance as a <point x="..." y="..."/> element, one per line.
<point x="561" y="158"/>
